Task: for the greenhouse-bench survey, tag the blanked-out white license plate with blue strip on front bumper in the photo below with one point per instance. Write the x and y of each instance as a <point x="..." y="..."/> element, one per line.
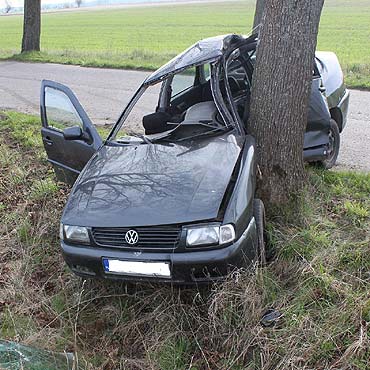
<point x="137" y="268"/>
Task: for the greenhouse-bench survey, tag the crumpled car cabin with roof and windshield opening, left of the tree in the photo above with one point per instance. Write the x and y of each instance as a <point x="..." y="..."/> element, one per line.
<point x="192" y="95"/>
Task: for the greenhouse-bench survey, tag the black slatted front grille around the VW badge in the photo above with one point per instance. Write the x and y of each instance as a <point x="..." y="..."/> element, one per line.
<point x="148" y="237"/>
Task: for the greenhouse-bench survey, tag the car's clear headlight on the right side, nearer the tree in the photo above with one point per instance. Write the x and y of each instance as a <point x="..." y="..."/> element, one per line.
<point x="209" y="235"/>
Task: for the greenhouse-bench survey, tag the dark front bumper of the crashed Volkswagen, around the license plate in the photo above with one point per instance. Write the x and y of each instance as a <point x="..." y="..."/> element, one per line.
<point x="186" y="267"/>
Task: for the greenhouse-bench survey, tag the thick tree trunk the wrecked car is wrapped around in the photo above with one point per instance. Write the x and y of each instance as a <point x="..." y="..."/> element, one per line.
<point x="280" y="94"/>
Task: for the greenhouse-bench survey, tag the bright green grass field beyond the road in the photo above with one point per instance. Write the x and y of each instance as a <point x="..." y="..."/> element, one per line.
<point x="146" y="37"/>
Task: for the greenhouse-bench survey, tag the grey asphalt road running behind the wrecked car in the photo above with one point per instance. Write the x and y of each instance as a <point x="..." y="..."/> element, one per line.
<point x="105" y="92"/>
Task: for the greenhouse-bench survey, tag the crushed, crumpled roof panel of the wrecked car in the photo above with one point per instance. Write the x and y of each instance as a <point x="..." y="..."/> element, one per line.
<point x="207" y="50"/>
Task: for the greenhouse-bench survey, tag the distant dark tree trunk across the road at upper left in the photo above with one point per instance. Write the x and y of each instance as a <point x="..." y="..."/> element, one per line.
<point x="31" y="25"/>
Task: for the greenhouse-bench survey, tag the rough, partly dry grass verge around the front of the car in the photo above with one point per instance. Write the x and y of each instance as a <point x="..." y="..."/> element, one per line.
<point x="319" y="282"/>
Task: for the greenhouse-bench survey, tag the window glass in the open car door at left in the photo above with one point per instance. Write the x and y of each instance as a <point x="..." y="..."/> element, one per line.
<point x="60" y="111"/>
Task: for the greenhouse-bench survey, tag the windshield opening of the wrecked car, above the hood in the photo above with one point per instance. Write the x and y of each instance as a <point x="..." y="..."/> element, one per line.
<point x="180" y="108"/>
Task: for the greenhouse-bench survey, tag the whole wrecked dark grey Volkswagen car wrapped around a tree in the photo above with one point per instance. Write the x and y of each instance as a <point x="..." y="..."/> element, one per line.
<point x="170" y="194"/>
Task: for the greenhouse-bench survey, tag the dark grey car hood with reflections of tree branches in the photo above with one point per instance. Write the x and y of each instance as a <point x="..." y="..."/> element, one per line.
<point x="154" y="184"/>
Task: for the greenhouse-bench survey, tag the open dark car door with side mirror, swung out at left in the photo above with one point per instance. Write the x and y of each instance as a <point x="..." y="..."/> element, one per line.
<point x="70" y="139"/>
